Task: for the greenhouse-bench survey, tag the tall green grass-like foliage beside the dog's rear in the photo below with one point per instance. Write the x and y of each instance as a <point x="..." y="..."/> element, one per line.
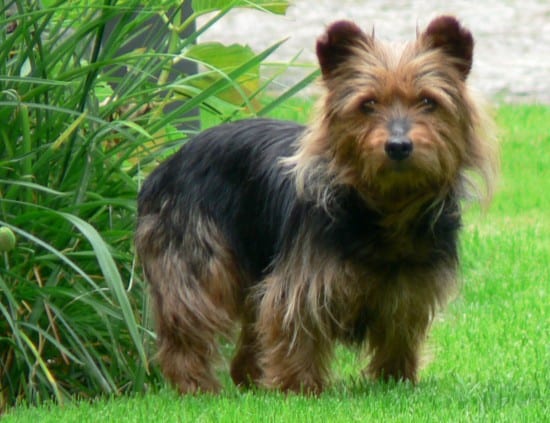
<point x="89" y="100"/>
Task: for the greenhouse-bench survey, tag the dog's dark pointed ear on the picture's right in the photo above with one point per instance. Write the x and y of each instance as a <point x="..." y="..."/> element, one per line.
<point x="447" y="34"/>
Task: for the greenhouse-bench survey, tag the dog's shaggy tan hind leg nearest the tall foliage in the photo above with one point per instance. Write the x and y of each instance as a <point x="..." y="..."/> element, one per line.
<point x="195" y="289"/>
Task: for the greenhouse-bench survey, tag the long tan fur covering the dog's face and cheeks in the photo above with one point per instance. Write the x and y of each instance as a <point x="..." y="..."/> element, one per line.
<point x="346" y="147"/>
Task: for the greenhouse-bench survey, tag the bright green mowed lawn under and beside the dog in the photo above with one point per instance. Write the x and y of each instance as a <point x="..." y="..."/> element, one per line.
<point x="490" y="351"/>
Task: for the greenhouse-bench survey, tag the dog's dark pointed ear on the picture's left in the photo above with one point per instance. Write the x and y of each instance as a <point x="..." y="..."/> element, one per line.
<point x="337" y="43"/>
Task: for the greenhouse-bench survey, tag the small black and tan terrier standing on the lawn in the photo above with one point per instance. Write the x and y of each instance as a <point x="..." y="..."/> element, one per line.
<point x="341" y="231"/>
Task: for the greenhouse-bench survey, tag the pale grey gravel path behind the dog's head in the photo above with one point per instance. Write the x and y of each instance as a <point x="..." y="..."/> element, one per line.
<point x="512" y="56"/>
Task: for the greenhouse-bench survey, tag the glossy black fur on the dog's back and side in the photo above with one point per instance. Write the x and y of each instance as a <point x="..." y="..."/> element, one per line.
<point x="230" y="176"/>
